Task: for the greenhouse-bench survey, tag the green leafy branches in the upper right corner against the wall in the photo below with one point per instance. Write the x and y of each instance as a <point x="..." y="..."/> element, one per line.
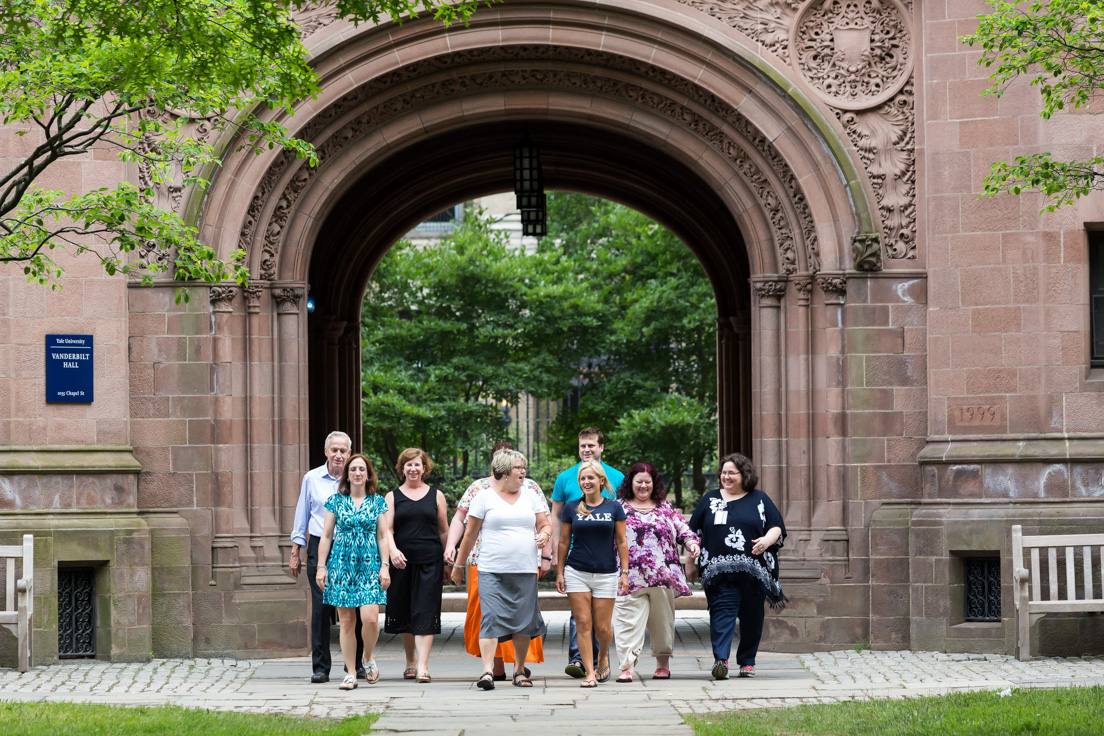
<point x="1057" y="46"/>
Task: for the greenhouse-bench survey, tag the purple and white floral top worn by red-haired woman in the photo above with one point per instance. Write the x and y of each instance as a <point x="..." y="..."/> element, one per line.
<point x="653" y="548"/>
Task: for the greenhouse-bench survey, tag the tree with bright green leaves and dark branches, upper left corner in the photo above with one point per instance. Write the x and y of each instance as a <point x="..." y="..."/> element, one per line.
<point x="137" y="80"/>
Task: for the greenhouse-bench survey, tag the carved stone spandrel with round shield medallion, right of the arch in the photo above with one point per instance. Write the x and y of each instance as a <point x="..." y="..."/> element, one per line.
<point x="858" y="56"/>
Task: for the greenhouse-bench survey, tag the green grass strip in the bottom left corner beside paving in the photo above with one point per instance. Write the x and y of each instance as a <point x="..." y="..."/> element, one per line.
<point x="60" y="719"/>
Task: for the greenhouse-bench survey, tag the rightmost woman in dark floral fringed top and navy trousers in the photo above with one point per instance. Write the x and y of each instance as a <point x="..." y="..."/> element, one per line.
<point x="741" y="534"/>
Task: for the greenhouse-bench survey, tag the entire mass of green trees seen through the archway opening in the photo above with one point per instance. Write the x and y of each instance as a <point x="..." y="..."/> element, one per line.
<point x="611" y="313"/>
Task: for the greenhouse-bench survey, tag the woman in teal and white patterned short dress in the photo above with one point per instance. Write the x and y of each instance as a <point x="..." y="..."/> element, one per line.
<point x="357" y="572"/>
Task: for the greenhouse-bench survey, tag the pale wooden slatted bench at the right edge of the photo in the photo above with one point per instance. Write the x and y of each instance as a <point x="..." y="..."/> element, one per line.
<point x="1028" y="584"/>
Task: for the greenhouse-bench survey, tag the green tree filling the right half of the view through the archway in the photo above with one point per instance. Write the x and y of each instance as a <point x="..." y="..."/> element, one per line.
<point x="651" y="382"/>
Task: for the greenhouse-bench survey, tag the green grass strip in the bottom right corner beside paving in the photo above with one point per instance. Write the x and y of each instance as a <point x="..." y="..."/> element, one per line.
<point x="1061" y="712"/>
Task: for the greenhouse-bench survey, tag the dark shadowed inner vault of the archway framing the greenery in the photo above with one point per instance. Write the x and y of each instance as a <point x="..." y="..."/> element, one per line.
<point x="406" y="188"/>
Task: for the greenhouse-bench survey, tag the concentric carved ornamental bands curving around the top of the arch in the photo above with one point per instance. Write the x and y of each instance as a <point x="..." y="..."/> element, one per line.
<point x="678" y="111"/>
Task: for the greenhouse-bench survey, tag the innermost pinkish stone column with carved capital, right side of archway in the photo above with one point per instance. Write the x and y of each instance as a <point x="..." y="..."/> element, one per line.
<point x="771" y="406"/>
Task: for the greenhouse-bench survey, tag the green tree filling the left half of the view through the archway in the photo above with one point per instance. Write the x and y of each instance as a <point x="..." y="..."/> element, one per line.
<point x="454" y="333"/>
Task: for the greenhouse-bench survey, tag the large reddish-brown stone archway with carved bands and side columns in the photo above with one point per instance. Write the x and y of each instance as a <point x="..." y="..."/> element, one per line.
<point x="678" y="116"/>
